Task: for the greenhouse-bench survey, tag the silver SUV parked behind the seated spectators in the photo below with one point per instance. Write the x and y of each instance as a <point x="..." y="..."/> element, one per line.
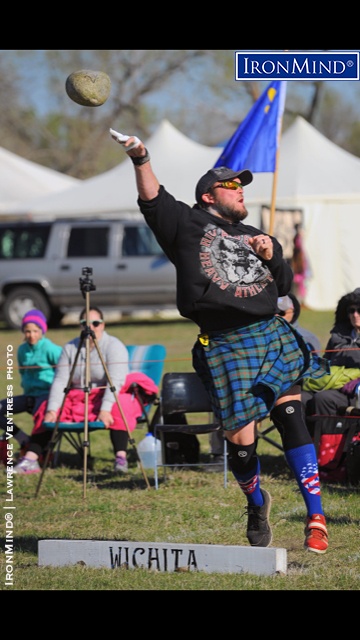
<point x="41" y="264"/>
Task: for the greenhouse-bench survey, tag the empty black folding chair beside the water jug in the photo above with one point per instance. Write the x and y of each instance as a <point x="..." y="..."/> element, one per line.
<point x="183" y="394"/>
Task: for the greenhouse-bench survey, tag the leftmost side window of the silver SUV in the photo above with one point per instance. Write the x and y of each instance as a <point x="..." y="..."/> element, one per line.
<point x="23" y="242"/>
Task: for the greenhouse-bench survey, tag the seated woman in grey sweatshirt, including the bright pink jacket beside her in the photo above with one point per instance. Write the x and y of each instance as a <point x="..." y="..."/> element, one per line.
<point x="102" y="405"/>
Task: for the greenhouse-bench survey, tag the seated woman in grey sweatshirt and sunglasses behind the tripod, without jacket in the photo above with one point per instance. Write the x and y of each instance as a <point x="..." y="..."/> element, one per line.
<point x="116" y="358"/>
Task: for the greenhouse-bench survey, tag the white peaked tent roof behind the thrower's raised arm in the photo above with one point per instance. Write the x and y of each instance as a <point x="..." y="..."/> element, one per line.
<point x="177" y="159"/>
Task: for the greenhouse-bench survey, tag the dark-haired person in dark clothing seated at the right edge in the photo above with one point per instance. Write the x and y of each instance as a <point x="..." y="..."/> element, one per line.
<point x="342" y="350"/>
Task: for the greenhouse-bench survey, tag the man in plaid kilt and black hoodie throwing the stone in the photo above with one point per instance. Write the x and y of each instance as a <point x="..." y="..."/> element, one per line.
<point x="250" y="360"/>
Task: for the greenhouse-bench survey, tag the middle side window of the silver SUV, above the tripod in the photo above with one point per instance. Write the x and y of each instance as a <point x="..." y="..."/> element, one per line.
<point x="89" y="242"/>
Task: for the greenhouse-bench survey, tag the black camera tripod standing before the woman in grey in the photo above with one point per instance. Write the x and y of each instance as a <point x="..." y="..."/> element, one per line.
<point x="86" y="285"/>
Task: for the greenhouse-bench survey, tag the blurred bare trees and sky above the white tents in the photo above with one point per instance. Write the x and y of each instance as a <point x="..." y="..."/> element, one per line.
<point x="194" y="89"/>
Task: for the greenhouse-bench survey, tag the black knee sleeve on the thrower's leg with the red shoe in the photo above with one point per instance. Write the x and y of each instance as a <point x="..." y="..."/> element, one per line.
<point x="289" y="420"/>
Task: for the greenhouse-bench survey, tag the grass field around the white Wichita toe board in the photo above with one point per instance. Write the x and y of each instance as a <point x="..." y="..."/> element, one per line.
<point x="191" y="507"/>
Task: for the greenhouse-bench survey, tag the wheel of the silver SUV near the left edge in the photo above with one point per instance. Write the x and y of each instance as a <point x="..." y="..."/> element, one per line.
<point x="20" y="300"/>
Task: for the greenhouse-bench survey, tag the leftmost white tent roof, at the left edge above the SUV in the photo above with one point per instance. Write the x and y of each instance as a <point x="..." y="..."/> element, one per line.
<point x="22" y="179"/>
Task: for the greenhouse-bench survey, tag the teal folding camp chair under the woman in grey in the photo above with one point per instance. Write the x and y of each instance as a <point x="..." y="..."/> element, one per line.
<point x="148" y="359"/>
